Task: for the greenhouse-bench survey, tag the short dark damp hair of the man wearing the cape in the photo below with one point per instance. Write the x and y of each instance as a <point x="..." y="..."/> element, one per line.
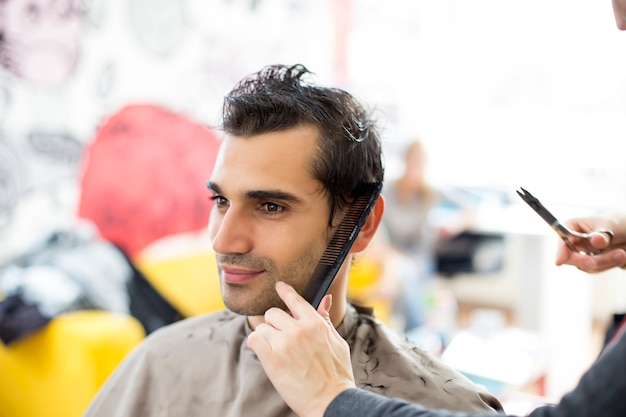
<point x="278" y="97"/>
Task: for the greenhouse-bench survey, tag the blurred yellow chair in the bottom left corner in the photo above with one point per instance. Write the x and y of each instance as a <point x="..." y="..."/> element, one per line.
<point x="56" y="371"/>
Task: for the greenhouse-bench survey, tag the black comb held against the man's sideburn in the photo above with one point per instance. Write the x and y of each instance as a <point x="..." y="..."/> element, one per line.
<point x="340" y="244"/>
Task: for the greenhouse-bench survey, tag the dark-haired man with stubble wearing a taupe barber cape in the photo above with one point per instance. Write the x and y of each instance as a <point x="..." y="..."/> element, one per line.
<point x="293" y="156"/>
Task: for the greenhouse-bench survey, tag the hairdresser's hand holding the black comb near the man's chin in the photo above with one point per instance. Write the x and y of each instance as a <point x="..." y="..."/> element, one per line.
<point x="305" y="358"/>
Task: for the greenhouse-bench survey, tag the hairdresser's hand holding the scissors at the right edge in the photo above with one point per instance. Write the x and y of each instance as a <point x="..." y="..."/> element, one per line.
<point x="613" y="250"/>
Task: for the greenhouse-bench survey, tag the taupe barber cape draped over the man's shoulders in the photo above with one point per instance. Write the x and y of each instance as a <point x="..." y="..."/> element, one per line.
<point x="201" y="366"/>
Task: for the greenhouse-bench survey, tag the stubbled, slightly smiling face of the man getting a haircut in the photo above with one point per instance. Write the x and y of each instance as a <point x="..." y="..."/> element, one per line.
<point x="270" y="218"/>
